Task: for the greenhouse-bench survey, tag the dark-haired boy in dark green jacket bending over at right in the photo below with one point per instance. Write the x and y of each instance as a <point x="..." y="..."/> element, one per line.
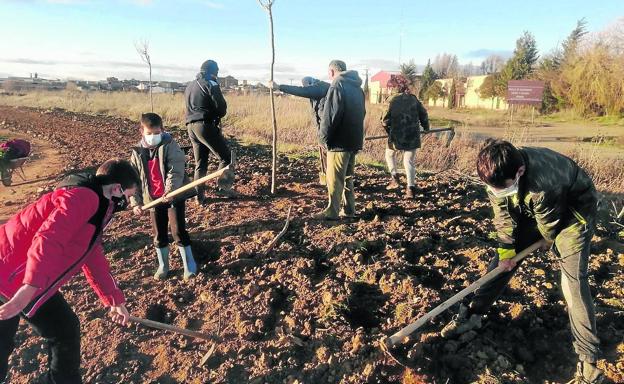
<point x="539" y="194"/>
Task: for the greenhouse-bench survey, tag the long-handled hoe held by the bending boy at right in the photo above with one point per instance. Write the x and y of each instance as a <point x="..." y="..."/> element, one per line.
<point x="401" y="336"/>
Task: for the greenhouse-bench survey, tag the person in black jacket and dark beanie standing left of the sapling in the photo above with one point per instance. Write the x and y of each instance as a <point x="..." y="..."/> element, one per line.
<point x="205" y="106"/>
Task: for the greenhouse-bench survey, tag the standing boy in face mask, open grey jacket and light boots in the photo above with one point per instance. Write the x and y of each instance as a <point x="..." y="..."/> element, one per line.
<point x="160" y="163"/>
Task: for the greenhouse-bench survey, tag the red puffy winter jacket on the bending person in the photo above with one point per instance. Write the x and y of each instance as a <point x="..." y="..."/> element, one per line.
<point x="47" y="243"/>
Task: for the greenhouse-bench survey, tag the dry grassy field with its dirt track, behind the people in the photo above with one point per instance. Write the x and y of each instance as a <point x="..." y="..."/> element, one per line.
<point x="597" y="145"/>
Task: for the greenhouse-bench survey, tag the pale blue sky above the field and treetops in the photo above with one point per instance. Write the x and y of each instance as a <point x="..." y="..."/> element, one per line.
<point x="95" y="39"/>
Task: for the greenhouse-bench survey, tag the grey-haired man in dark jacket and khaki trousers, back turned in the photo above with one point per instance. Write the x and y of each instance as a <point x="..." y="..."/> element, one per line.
<point x="342" y="133"/>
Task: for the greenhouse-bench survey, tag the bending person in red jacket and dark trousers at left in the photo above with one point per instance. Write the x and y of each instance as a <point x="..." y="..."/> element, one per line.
<point x="45" y="245"/>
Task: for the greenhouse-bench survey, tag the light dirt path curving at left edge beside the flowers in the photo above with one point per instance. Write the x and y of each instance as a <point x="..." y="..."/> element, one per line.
<point x="41" y="170"/>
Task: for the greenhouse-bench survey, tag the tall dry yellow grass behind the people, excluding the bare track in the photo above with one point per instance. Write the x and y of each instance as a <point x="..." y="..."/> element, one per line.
<point x="249" y="119"/>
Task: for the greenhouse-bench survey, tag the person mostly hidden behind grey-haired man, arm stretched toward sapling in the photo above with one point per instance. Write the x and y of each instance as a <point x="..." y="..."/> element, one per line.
<point x="315" y="90"/>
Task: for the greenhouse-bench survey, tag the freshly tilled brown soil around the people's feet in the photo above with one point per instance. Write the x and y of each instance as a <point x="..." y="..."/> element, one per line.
<point x="315" y="308"/>
